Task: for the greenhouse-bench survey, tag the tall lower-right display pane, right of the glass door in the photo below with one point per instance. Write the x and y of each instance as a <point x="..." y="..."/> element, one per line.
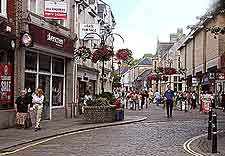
<point x="57" y="91"/>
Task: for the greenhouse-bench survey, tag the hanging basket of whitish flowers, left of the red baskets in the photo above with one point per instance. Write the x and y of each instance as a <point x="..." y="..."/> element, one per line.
<point x="83" y="53"/>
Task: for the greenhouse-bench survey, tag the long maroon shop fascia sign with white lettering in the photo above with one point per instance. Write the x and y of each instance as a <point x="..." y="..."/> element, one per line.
<point x="51" y="39"/>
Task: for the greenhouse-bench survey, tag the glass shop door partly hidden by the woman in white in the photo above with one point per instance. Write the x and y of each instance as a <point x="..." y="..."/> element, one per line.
<point x="44" y="83"/>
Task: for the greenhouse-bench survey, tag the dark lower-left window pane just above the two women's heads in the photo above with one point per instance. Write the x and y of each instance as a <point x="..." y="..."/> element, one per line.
<point x="30" y="81"/>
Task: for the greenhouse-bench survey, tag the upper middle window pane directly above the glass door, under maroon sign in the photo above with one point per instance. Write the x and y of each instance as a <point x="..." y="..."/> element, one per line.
<point x="44" y="63"/>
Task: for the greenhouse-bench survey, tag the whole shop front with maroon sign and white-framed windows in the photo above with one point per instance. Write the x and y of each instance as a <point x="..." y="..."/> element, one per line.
<point x="48" y="66"/>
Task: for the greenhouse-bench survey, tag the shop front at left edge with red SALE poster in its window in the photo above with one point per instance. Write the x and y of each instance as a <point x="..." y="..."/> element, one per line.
<point x="7" y="51"/>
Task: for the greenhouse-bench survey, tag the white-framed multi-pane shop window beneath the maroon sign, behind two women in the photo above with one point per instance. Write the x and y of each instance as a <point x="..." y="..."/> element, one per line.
<point x="47" y="72"/>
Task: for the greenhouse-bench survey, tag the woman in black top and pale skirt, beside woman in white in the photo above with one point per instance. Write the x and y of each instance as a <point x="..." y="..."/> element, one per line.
<point x="22" y="107"/>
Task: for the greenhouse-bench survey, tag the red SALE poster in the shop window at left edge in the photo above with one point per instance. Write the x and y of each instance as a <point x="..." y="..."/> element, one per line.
<point x="5" y="83"/>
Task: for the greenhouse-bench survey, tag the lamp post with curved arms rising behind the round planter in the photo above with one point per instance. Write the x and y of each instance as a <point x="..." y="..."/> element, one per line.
<point x="103" y="37"/>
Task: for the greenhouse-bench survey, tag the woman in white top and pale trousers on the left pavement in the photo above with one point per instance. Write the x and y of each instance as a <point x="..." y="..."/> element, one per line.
<point x="38" y="101"/>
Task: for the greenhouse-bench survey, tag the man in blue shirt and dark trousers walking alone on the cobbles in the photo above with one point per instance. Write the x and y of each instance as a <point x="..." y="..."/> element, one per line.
<point x="169" y="96"/>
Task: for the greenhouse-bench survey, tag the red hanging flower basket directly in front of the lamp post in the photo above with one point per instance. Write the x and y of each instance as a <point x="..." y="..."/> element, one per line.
<point x="102" y="54"/>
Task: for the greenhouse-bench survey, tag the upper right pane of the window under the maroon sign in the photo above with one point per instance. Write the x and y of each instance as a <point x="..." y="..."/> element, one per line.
<point x="57" y="66"/>
